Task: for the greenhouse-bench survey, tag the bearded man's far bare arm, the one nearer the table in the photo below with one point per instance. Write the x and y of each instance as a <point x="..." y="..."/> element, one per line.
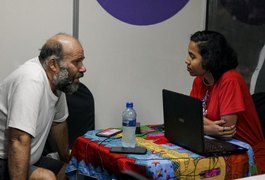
<point x="59" y="134"/>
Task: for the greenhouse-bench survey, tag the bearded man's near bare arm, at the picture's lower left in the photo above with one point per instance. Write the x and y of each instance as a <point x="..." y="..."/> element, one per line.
<point x="18" y="153"/>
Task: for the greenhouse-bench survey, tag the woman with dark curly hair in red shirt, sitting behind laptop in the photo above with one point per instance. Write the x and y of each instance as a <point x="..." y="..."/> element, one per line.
<point x="228" y="107"/>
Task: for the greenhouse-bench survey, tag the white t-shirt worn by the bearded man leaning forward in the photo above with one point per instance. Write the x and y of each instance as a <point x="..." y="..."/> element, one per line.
<point x="27" y="103"/>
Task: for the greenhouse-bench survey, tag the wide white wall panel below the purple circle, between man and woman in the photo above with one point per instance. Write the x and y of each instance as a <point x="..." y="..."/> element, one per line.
<point x="129" y="62"/>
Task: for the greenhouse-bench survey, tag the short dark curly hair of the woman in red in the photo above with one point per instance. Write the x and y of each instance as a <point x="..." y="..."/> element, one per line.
<point x="217" y="55"/>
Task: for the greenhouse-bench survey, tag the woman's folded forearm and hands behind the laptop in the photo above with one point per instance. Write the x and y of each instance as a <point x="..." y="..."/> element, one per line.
<point x="220" y="128"/>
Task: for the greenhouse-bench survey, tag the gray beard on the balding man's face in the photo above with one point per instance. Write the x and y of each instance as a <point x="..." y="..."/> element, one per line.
<point x="64" y="83"/>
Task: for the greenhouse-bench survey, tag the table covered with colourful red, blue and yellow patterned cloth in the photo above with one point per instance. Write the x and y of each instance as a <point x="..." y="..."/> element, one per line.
<point x="90" y="156"/>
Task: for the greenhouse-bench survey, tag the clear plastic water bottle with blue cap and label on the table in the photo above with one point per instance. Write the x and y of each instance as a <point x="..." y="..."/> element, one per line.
<point x="128" y="126"/>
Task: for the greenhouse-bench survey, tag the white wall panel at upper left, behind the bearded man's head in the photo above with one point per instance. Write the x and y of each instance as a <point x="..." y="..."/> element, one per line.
<point x="26" y="25"/>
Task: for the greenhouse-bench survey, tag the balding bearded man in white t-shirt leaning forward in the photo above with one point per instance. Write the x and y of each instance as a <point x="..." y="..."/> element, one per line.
<point x="33" y="104"/>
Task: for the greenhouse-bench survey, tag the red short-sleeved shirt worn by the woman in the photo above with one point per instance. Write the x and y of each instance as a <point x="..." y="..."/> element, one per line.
<point x="230" y="94"/>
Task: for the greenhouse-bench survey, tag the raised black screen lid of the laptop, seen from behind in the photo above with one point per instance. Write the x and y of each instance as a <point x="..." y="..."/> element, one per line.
<point x="183" y="120"/>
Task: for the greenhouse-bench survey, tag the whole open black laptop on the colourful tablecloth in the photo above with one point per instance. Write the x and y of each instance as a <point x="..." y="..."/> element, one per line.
<point x="183" y="125"/>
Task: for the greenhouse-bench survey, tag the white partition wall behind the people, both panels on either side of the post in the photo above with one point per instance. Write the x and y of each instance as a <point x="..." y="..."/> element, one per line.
<point x="124" y="61"/>
